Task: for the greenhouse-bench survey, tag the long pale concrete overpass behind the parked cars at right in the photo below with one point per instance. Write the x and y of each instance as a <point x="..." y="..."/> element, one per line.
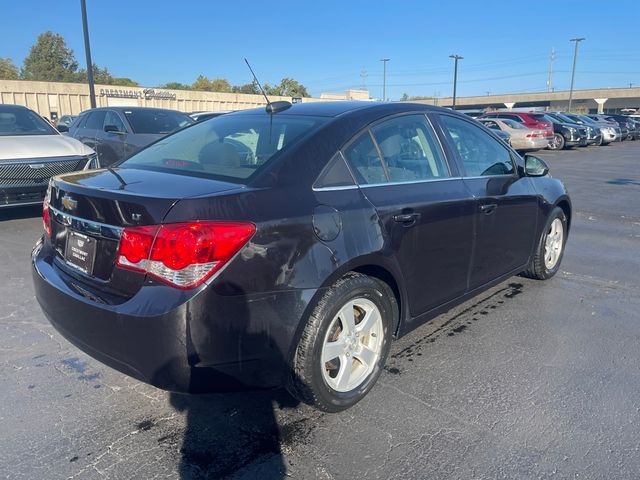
<point x="600" y="100"/>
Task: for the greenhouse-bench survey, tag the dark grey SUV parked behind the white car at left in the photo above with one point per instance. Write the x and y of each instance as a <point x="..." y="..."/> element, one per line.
<point x="118" y="132"/>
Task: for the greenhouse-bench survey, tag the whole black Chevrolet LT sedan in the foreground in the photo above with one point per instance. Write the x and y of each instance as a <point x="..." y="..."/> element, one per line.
<point x="195" y="268"/>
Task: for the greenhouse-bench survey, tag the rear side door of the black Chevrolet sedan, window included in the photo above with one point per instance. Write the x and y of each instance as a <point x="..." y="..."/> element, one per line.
<point x="422" y="203"/>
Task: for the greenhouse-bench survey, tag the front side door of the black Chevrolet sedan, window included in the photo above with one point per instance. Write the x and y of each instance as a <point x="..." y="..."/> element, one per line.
<point x="505" y="202"/>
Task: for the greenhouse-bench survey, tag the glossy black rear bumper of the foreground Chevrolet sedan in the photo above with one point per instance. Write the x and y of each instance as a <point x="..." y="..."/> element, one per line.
<point x="175" y="340"/>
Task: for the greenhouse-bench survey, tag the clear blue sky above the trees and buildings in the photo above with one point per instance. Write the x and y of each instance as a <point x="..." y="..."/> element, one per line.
<point x="326" y="45"/>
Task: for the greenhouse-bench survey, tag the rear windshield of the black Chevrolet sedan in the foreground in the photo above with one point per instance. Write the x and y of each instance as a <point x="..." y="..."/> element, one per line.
<point x="228" y="147"/>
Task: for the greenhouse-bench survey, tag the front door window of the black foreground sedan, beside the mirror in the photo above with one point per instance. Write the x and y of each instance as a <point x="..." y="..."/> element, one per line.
<point x="481" y="154"/>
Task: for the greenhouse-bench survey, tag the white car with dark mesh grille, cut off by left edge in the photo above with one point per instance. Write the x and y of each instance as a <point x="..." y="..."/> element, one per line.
<point x="31" y="152"/>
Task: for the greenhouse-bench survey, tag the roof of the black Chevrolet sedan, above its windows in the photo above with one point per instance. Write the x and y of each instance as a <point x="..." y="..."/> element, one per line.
<point x="335" y="109"/>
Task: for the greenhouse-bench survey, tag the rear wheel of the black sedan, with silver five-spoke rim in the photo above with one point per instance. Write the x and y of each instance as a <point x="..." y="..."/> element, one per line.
<point x="344" y="345"/>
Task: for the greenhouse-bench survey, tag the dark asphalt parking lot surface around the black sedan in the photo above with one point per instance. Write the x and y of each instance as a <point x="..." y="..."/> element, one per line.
<point x="529" y="380"/>
